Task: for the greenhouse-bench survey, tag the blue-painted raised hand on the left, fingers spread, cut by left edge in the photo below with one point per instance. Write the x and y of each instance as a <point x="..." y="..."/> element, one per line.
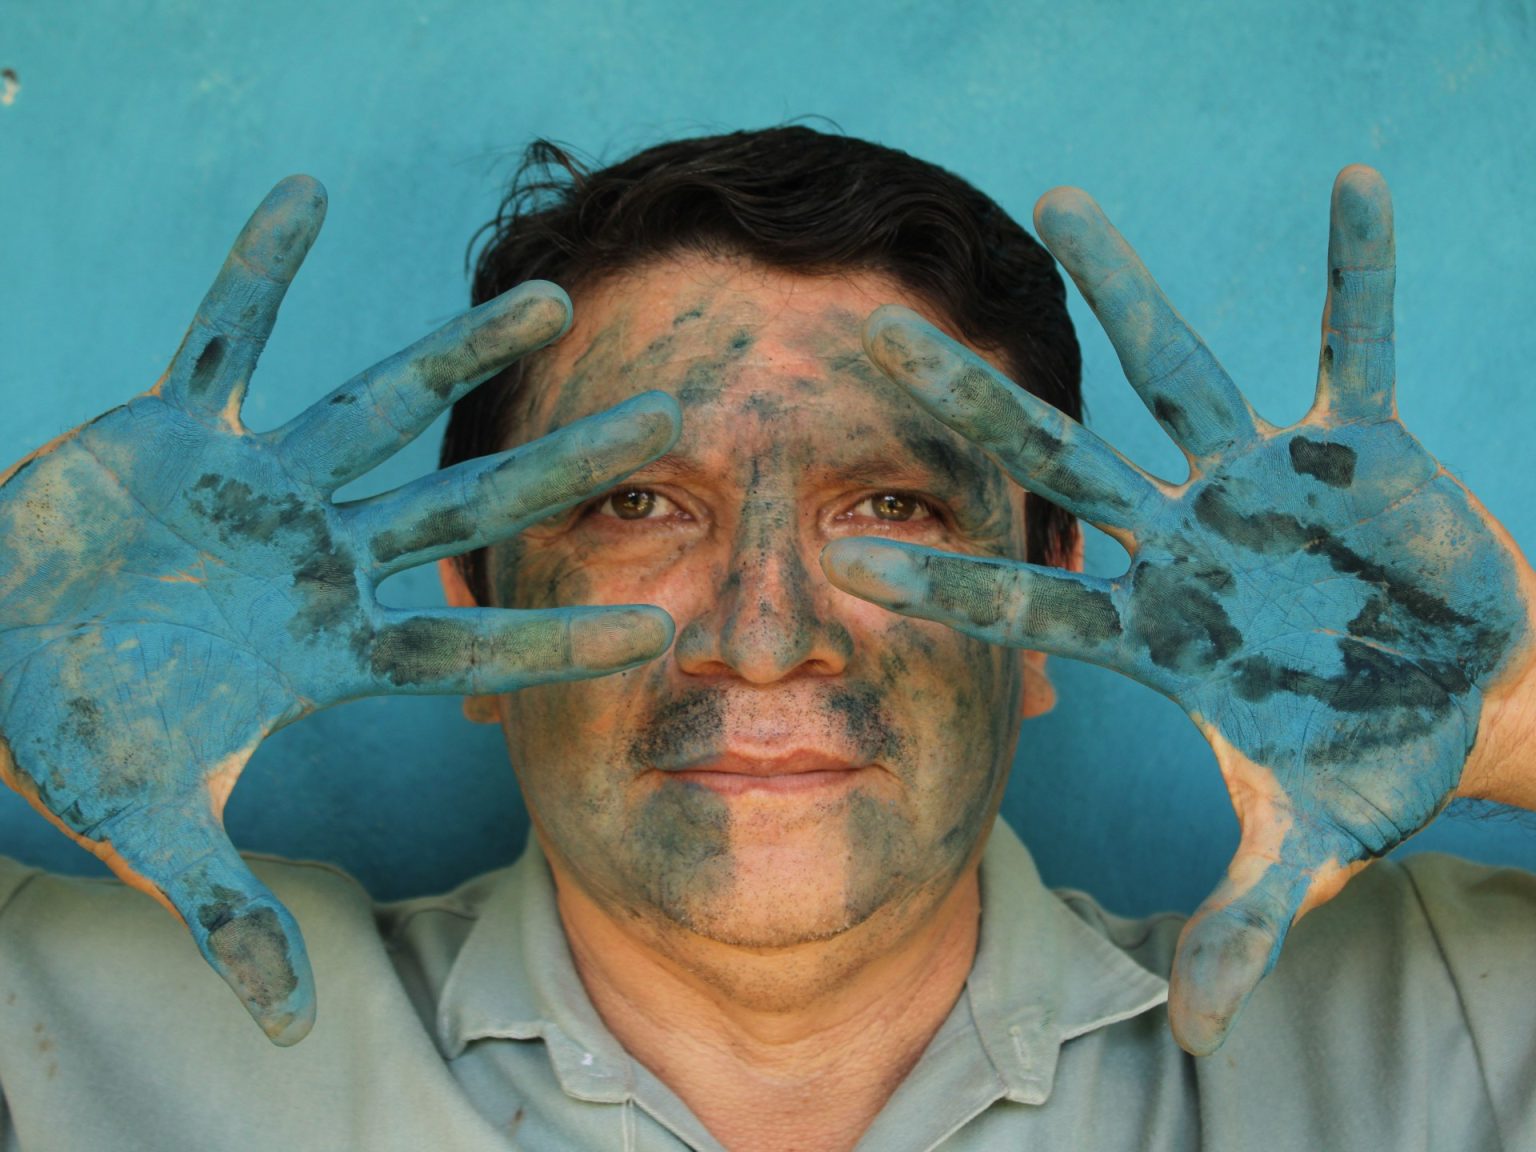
<point x="174" y="588"/>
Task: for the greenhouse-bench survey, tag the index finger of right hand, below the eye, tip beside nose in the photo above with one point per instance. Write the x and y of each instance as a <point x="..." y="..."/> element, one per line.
<point x="998" y="601"/>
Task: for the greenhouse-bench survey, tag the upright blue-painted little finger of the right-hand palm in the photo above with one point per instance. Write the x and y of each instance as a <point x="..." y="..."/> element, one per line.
<point x="1357" y="374"/>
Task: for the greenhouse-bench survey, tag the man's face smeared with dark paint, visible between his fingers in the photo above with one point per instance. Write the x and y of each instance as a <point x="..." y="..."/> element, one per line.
<point x="801" y="761"/>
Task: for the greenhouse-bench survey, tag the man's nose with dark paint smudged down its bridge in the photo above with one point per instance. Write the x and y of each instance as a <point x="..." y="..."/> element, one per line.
<point x="770" y="620"/>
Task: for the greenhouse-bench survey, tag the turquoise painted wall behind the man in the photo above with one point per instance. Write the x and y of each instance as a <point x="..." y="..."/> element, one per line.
<point x="141" y="136"/>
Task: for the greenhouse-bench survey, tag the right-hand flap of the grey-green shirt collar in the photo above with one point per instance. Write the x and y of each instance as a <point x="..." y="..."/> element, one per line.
<point x="1042" y="976"/>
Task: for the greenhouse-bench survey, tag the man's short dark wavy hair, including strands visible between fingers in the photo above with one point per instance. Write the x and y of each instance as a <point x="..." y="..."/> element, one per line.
<point x="790" y="199"/>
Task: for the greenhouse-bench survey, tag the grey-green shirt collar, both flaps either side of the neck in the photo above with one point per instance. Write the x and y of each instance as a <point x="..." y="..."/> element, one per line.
<point x="1042" y="978"/>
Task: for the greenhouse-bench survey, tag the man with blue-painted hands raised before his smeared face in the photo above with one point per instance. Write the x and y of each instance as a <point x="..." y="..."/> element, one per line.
<point x="766" y="904"/>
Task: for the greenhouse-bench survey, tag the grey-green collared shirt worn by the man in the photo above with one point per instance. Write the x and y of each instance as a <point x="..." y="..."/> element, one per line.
<point x="1400" y="1018"/>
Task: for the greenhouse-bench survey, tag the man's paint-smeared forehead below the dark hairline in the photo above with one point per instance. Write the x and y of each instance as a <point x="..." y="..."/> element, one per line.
<point x="773" y="380"/>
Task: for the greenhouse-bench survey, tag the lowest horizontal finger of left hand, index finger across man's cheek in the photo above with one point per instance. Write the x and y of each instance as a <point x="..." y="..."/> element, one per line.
<point x="483" y="652"/>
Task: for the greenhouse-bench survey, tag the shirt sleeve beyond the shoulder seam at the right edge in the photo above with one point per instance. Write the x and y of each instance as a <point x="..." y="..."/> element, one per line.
<point x="1485" y="922"/>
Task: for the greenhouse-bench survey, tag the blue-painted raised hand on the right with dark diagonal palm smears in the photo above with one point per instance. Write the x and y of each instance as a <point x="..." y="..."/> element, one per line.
<point x="1325" y="601"/>
